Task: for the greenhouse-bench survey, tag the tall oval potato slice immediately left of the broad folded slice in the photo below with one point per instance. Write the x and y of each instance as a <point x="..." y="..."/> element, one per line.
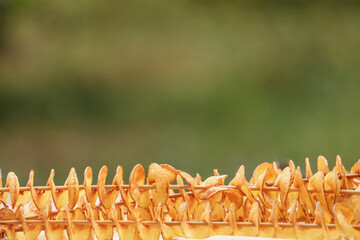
<point x="137" y="177"/>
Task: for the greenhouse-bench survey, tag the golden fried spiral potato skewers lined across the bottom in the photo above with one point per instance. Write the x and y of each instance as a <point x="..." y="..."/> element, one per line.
<point x="274" y="203"/>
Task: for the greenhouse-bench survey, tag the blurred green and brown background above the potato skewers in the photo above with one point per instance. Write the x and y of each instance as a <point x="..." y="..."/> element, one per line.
<point x="196" y="84"/>
